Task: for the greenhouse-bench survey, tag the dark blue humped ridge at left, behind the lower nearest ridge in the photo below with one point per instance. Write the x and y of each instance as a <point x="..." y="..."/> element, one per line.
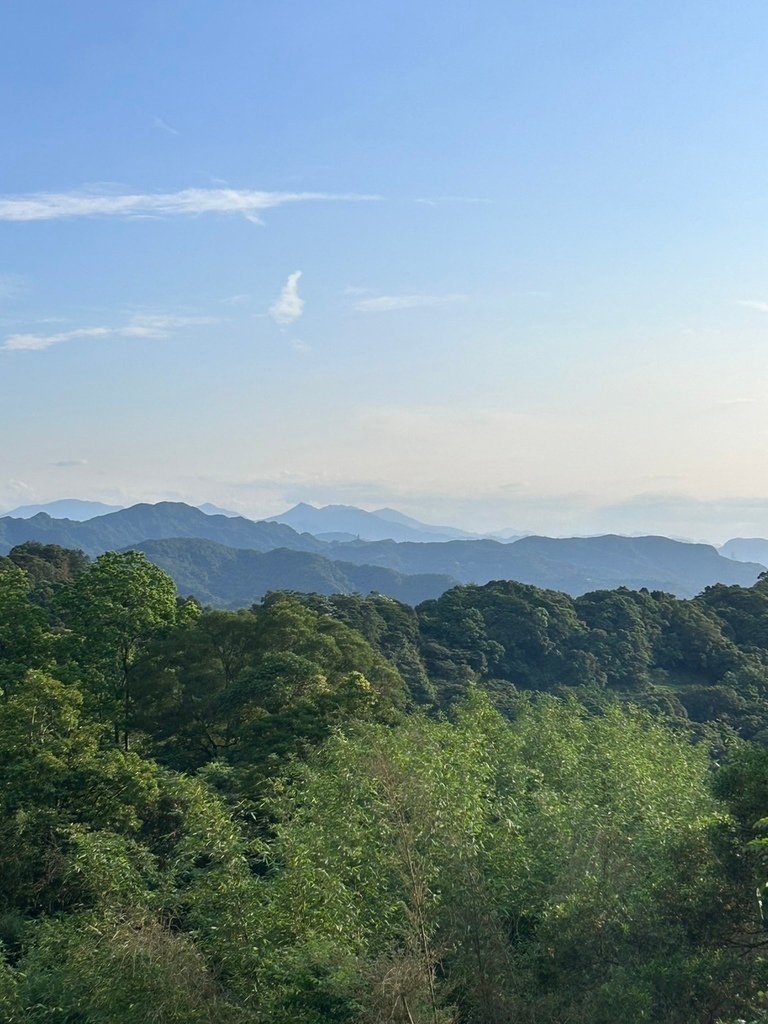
<point x="144" y="523"/>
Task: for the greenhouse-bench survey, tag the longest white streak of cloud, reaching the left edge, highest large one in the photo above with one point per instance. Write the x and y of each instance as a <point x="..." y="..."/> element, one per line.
<point x="249" y="203"/>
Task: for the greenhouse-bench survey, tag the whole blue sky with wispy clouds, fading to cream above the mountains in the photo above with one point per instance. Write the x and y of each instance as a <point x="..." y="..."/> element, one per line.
<point x="500" y="265"/>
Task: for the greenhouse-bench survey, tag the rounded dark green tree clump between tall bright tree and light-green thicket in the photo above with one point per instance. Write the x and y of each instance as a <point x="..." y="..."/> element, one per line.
<point x="255" y="688"/>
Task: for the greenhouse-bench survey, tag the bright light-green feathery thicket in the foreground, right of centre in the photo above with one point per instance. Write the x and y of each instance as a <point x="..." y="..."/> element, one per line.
<point x="563" y="866"/>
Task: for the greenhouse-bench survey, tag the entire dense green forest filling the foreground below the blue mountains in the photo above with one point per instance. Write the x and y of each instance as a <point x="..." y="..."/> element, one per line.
<point x="506" y="805"/>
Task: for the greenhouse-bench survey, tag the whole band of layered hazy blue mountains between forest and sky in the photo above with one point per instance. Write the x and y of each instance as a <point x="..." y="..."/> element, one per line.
<point x="215" y="556"/>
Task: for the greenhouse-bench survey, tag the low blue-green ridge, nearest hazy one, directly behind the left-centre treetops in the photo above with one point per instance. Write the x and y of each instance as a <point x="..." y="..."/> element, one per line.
<point x="234" y="579"/>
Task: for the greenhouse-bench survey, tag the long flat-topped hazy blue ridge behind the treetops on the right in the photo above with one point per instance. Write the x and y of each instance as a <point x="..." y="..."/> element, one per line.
<point x="572" y="565"/>
